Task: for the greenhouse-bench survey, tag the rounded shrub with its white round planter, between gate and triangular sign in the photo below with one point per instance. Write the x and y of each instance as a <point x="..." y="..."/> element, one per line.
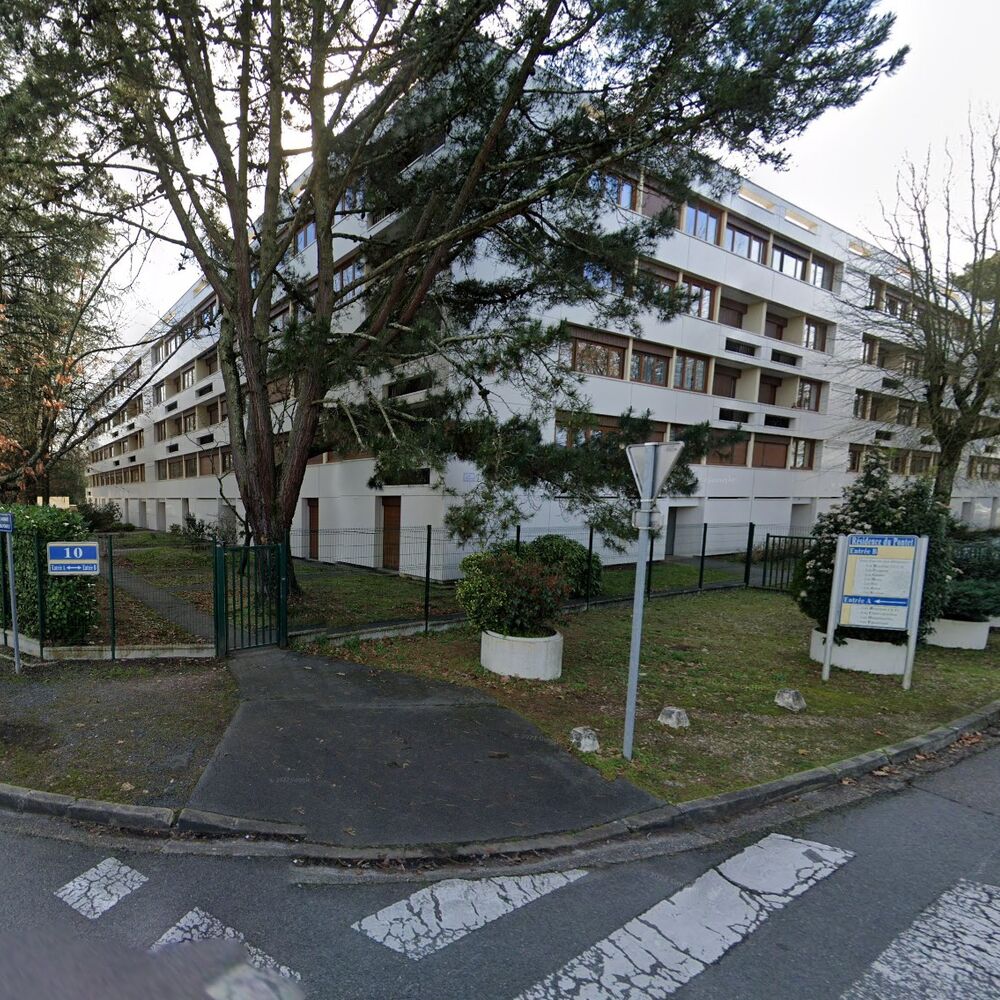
<point x="513" y="600"/>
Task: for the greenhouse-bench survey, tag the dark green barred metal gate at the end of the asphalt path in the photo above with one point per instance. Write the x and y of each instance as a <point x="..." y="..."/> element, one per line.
<point x="251" y="597"/>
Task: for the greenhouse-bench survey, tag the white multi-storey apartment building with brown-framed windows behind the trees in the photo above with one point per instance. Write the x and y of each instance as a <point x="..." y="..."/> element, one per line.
<point x="772" y="344"/>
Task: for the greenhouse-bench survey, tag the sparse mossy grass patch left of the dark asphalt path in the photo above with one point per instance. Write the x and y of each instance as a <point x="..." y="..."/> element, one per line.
<point x="130" y="732"/>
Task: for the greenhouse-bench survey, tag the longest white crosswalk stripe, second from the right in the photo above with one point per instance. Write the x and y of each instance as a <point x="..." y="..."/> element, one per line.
<point x="655" y="954"/>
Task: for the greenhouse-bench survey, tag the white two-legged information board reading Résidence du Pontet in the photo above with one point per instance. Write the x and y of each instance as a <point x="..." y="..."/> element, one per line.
<point x="878" y="582"/>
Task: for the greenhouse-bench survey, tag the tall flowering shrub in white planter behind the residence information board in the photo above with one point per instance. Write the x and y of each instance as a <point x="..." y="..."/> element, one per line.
<point x="873" y="504"/>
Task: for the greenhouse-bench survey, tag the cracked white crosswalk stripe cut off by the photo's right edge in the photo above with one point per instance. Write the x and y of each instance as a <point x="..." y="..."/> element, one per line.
<point x="950" y="952"/>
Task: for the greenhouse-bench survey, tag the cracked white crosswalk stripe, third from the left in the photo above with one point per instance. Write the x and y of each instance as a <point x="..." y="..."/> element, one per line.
<point x="439" y="915"/>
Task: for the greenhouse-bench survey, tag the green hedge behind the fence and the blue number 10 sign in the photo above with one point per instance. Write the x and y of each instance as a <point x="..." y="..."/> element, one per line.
<point x="70" y="602"/>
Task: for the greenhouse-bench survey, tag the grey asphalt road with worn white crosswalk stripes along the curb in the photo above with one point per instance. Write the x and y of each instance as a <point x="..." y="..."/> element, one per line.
<point x="896" y="896"/>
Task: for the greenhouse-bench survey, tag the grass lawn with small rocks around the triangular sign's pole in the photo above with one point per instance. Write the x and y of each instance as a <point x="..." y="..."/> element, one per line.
<point x="722" y="656"/>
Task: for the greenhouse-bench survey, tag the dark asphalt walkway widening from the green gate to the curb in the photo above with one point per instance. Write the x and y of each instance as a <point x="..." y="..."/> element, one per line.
<point x="363" y="757"/>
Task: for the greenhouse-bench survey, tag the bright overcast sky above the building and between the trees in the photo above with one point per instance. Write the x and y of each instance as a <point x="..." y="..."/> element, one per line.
<point x="844" y="164"/>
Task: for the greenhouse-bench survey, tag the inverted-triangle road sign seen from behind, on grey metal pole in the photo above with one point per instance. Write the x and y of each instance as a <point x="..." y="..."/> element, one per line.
<point x="651" y="464"/>
